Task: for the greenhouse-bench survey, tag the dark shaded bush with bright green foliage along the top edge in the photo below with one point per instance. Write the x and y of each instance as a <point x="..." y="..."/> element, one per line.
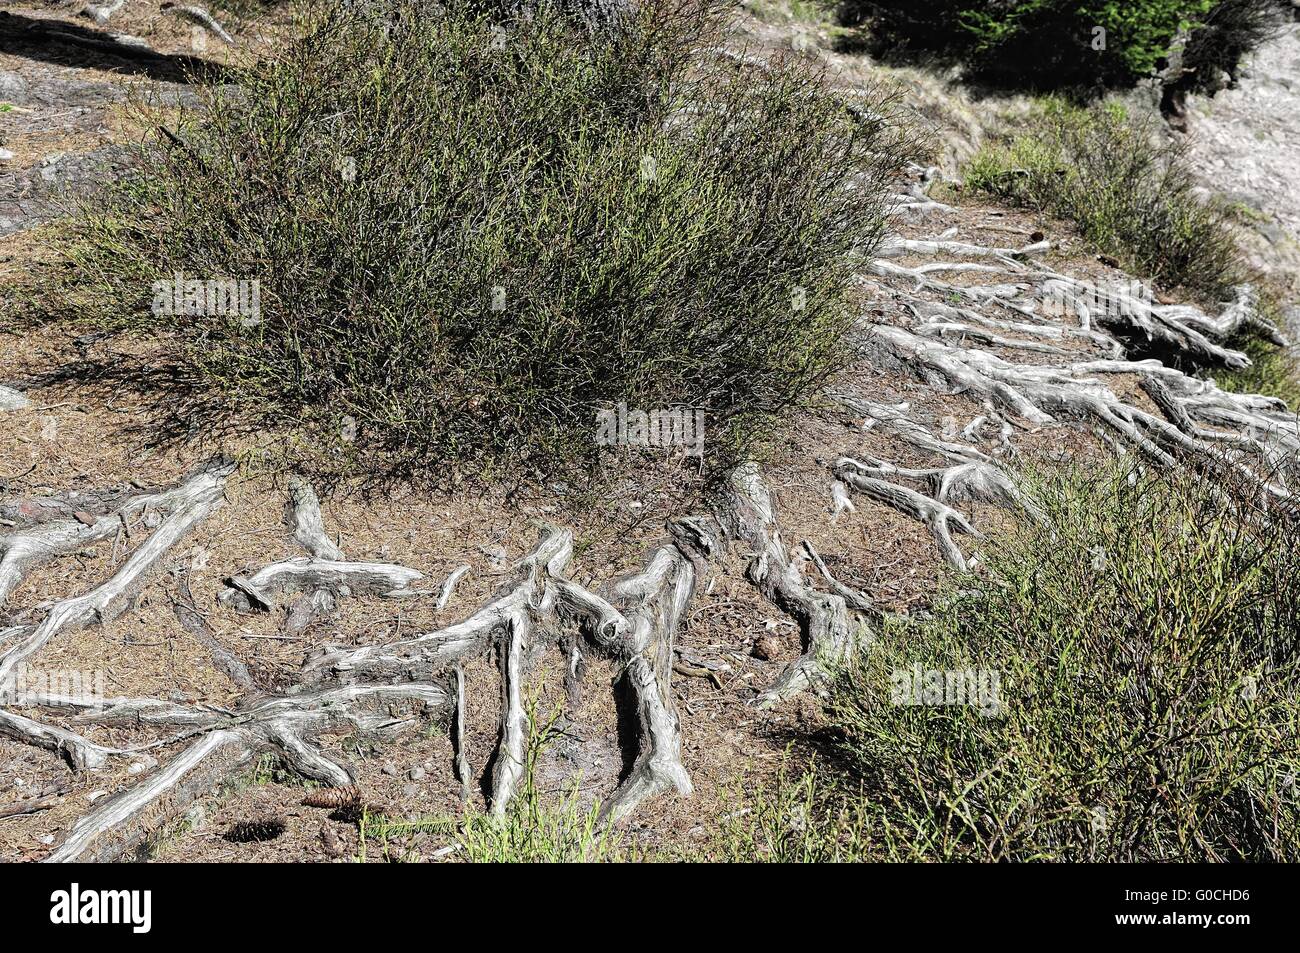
<point x="1054" y="44"/>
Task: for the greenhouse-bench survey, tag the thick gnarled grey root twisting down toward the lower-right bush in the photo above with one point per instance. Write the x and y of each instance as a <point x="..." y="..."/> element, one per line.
<point x="826" y="630"/>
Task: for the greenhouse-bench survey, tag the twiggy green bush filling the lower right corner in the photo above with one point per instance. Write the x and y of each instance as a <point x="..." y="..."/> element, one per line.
<point x="1145" y="642"/>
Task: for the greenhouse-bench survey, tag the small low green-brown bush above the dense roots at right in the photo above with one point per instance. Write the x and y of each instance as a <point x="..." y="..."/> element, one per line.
<point x="1130" y="194"/>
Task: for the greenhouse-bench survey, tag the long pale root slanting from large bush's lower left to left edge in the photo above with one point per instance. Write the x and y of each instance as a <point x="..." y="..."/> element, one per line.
<point x="194" y="503"/>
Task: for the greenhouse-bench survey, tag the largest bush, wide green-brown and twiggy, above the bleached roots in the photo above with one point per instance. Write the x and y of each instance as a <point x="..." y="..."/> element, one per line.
<point x="470" y="237"/>
